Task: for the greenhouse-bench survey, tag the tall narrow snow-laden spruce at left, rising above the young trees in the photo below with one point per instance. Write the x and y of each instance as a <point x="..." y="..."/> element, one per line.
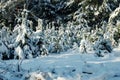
<point x="19" y="38"/>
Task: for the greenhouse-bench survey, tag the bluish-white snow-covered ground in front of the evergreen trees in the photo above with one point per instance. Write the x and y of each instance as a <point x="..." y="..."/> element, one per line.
<point x="70" y="65"/>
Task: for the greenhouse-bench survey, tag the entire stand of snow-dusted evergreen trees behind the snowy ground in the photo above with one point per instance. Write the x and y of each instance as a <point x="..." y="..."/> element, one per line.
<point x="39" y="27"/>
